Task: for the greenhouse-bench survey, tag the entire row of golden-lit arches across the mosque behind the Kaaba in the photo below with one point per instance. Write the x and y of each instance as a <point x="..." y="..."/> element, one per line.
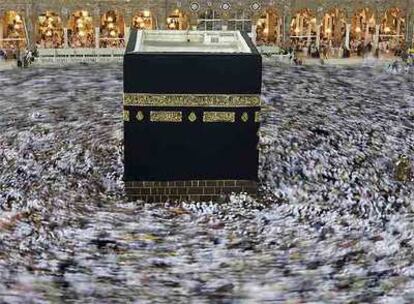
<point x="270" y="27"/>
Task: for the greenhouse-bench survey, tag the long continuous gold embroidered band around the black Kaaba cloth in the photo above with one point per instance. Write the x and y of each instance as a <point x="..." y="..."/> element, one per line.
<point x="190" y="100"/>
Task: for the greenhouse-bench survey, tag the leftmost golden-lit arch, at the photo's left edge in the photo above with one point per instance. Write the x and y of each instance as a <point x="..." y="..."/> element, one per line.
<point x="14" y="34"/>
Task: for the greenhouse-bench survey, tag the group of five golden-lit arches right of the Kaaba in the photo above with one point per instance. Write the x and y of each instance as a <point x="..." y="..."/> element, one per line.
<point x="385" y="31"/>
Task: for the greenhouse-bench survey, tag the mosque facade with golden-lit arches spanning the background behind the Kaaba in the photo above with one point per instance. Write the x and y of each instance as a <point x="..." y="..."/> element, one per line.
<point x="106" y="23"/>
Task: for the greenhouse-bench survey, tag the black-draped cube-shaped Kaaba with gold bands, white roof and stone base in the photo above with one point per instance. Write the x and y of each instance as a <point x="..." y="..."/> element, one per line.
<point x="191" y="115"/>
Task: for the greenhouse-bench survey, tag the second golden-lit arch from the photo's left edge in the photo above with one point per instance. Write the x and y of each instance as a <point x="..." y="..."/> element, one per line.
<point x="49" y="30"/>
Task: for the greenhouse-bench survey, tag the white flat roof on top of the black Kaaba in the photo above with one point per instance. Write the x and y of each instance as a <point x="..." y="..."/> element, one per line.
<point x="190" y="42"/>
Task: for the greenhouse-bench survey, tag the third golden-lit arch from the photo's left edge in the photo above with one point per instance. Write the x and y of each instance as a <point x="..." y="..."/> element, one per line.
<point x="81" y="31"/>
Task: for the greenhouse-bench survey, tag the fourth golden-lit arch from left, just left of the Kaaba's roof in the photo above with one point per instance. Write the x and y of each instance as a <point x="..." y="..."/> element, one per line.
<point x="112" y="30"/>
